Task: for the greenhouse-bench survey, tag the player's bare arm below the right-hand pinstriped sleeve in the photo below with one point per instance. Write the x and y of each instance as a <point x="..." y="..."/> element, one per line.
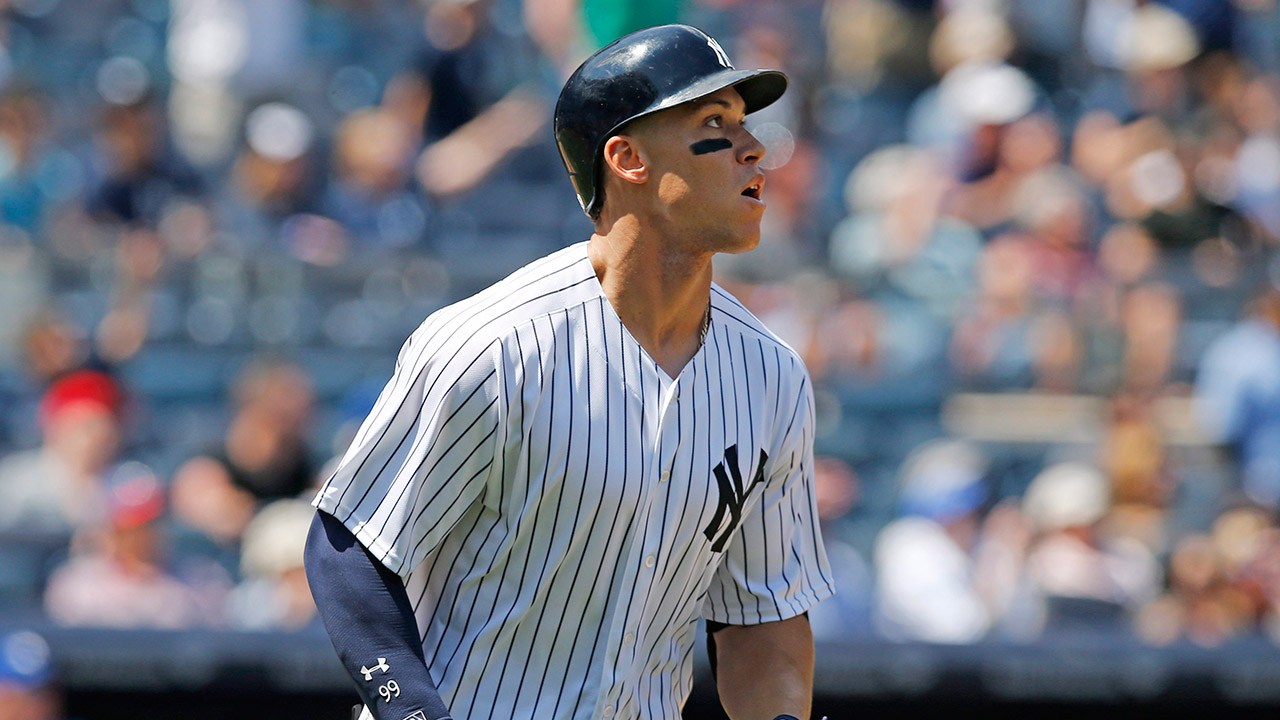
<point x="765" y="672"/>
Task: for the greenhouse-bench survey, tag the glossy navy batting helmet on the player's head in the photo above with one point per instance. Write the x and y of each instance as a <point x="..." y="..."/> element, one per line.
<point x="642" y="74"/>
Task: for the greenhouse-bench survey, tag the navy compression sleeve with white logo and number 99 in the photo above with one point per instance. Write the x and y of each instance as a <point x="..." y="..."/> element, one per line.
<point x="371" y="622"/>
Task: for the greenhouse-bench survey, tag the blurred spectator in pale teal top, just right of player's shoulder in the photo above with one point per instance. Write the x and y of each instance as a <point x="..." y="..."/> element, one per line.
<point x="906" y="268"/>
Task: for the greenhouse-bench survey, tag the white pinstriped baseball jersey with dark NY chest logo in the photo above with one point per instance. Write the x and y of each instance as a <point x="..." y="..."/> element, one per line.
<point x="563" y="512"/>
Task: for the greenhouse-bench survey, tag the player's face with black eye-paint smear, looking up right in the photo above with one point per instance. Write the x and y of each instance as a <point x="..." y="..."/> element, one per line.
<point x="706" y="166"/>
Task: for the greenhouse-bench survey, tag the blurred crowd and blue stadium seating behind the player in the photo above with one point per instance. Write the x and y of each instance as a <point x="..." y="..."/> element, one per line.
<point x="1028" y="250"/>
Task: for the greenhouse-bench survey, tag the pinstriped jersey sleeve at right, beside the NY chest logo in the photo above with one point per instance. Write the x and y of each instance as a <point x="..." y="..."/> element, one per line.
<point x="776" y="566"/>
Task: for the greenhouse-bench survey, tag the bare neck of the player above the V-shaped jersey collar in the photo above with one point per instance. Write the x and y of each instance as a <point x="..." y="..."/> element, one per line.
<point x="660" y="294"/>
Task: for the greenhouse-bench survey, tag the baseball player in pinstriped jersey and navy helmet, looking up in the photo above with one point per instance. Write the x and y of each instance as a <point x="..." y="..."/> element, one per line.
<point x="568" y="471"/>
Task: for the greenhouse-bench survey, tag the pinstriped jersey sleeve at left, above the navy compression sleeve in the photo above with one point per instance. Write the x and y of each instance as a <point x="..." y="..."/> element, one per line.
<point x="424" y="455"/>
